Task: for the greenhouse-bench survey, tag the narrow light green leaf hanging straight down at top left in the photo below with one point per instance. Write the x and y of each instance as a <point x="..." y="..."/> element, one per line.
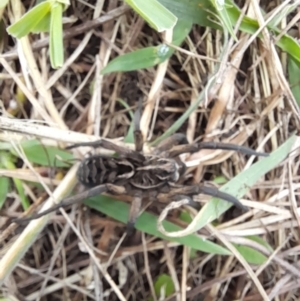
<point x="56" y="46"/>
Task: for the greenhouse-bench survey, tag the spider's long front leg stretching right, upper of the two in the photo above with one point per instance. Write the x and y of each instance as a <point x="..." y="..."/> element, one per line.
<point x="194" y="147"/>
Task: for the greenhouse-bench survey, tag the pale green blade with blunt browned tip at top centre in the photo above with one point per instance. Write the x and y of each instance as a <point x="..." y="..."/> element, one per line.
<point x="153" y="12"/>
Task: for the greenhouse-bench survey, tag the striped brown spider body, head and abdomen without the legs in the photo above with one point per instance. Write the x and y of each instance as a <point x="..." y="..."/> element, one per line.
<point x="146" y="177"/>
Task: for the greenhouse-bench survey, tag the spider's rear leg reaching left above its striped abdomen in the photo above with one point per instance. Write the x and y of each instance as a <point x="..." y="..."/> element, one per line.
<point x="123" y="151"/>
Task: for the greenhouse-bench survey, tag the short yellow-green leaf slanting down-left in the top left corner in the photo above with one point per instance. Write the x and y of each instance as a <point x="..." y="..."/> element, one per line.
<point x="30" y="20"/>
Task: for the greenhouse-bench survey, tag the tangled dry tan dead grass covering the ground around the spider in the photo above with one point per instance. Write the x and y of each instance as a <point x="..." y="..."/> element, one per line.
<point x="248" y="103"/>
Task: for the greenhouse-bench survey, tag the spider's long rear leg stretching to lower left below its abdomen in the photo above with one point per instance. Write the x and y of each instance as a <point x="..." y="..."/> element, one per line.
<point x="75" y="199"/>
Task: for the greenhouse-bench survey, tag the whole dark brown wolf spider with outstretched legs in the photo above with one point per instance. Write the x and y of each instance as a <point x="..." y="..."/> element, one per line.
<point x="154" y="176"/>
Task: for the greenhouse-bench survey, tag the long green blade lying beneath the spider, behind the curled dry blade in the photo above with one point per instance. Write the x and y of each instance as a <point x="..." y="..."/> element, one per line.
<point x="148" y="223"/>
